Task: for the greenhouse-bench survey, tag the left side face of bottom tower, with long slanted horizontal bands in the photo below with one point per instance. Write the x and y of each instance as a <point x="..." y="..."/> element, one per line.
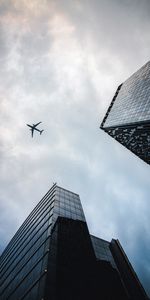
<point x="23" y="263"/>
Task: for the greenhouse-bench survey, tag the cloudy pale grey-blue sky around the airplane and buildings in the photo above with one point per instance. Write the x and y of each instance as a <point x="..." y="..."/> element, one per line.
<point x="60" y="63"/>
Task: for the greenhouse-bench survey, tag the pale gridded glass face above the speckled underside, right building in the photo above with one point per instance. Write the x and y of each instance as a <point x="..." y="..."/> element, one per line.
<point x="132" y="103"/>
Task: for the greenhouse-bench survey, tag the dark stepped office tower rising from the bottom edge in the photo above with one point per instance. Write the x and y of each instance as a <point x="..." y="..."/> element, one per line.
<point x="52" y="256"/>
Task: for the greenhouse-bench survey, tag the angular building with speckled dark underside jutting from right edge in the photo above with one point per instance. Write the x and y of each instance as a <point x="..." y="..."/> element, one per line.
<point x="128" y="116"/>
